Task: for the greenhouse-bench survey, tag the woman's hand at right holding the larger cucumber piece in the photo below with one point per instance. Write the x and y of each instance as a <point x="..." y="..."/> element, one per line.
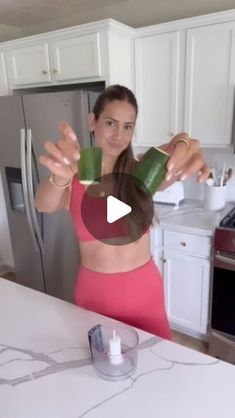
<point x="186" y="159"/>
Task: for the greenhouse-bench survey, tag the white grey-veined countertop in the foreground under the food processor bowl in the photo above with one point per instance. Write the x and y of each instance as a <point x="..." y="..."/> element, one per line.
<point x="46" y="369"/>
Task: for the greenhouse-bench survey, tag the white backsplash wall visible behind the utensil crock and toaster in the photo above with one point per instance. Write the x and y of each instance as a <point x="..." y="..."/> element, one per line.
<point x="195" y="190"/>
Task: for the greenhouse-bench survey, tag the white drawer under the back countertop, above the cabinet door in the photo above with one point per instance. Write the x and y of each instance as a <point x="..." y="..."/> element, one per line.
<point x="187" y="243"/>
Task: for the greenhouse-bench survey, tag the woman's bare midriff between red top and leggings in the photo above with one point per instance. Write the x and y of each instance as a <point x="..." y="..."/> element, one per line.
<point x="106" y="258"/>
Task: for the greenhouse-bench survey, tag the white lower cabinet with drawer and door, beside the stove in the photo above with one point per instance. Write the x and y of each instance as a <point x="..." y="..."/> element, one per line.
<point x="184" y="260"/>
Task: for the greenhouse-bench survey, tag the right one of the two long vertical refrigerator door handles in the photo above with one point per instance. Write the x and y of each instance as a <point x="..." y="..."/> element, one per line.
<point x="30" y="188"/>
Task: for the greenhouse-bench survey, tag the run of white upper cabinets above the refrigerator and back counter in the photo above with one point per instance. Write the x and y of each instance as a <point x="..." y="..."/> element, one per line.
<point x="183" y="72"/>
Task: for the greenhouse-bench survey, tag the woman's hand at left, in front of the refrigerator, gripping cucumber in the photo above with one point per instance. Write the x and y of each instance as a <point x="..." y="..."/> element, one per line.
<point x="62" y="155"/>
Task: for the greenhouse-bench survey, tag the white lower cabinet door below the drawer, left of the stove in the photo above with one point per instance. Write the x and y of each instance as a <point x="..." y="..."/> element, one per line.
<point x="186" y="284"/>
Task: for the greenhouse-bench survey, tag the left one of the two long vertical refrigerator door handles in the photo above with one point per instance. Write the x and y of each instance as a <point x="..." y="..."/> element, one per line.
<point x="24" y="186"/>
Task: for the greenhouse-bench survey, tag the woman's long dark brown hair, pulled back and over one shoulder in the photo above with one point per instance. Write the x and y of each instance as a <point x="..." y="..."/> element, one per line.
<point x="126" y="189"/>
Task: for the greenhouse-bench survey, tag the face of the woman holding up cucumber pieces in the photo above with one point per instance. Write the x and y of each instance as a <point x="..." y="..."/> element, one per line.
<point x="114" y="128"/>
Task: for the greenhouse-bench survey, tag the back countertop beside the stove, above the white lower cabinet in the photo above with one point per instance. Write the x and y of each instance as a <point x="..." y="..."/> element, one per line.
<point x="190" y="216"/>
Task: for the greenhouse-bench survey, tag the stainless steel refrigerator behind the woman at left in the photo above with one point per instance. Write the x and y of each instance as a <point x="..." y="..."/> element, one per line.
<point x="45" y="248"/>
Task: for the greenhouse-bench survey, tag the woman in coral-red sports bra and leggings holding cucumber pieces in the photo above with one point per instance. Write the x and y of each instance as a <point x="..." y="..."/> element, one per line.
<point x="120" y="281"/>
